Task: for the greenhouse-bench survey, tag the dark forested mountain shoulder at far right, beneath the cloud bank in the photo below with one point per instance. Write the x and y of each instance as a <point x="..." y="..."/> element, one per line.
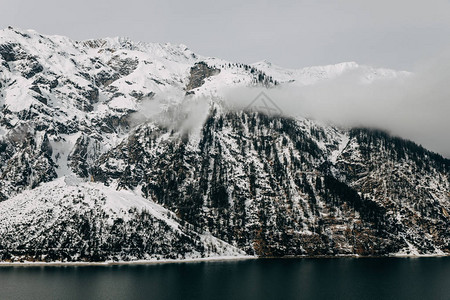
<point x="408" y="182"/>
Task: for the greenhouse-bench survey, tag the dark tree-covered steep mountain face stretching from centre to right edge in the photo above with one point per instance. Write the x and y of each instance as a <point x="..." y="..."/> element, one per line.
<point x="264" y="184"/>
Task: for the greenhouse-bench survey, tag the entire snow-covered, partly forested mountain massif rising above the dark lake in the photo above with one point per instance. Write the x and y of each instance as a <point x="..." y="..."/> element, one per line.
<point x="115" y="150"/>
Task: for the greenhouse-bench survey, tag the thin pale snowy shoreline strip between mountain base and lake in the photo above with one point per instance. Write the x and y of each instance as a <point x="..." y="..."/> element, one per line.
<point x="194" y="260"/>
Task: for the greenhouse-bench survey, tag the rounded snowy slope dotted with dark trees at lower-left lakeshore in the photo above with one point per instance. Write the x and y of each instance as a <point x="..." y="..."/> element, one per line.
<point x="71" y="220"/>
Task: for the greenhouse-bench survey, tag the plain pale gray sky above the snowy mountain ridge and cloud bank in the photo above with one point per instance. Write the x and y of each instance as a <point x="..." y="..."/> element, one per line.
<point x="389" y="33"/>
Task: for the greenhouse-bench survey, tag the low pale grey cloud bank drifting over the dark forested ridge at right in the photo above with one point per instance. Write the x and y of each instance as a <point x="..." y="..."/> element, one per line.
<point x="414" y="107"/>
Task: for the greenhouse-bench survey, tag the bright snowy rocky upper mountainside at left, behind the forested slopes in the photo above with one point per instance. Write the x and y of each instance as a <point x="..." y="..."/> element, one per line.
<point x="72" y="93"/>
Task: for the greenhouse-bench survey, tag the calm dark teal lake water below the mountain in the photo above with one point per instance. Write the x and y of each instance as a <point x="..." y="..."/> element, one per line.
<point x="334" y="278"/>
